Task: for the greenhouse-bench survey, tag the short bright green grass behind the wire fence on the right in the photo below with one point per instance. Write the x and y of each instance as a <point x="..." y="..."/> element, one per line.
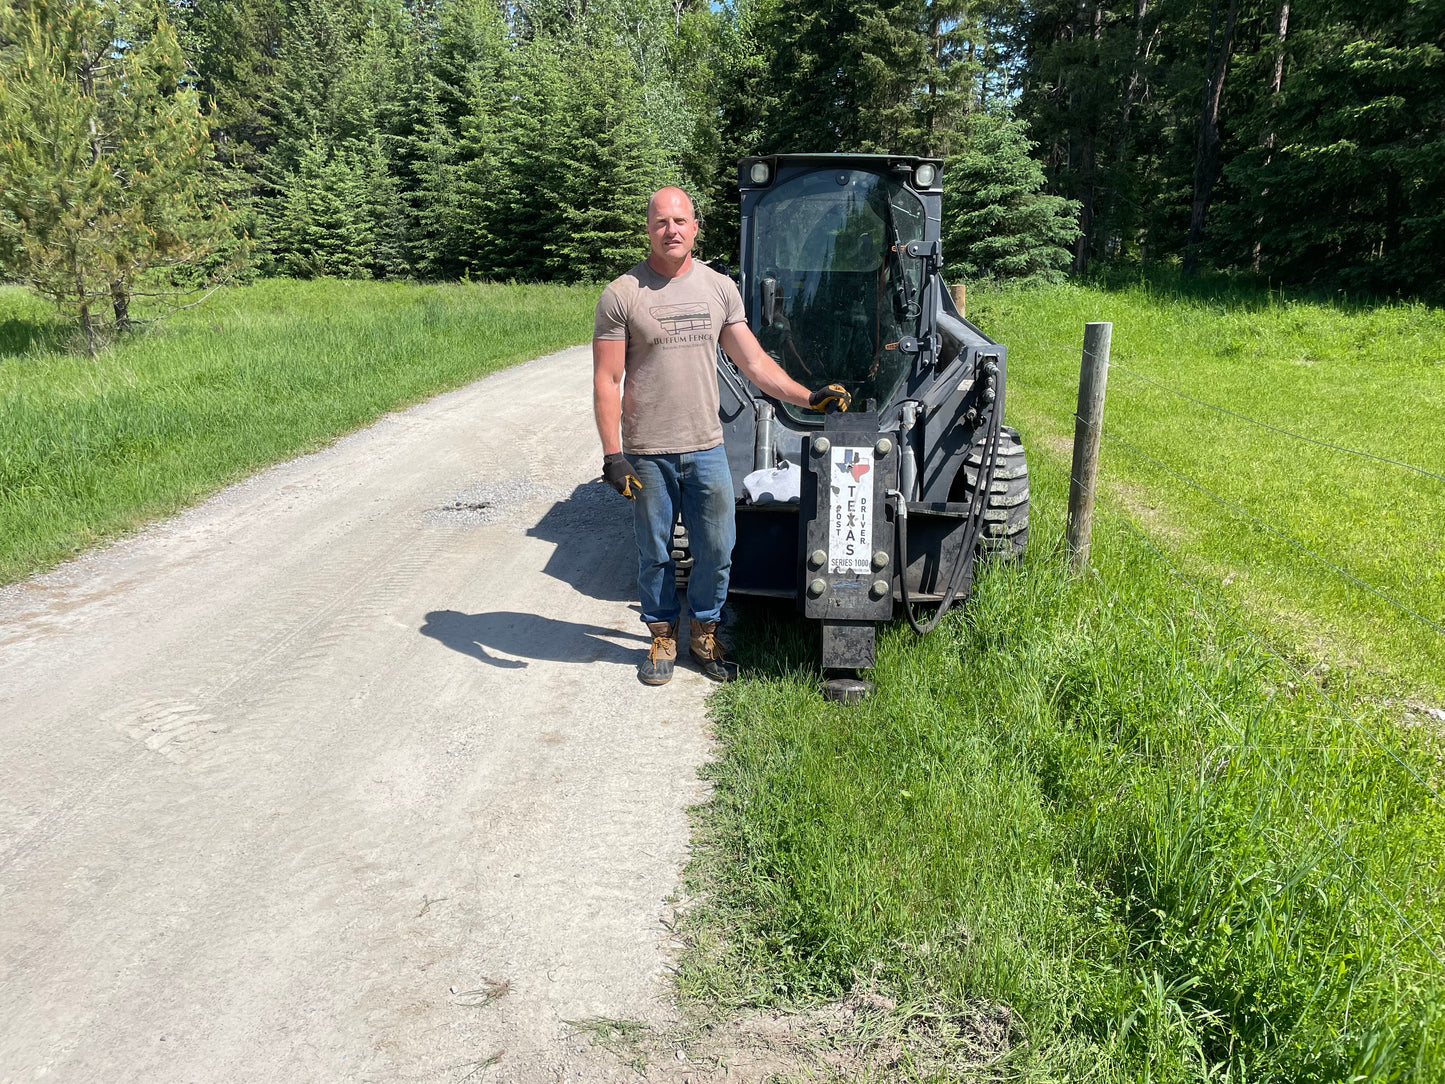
<point x="1372" y="379"/>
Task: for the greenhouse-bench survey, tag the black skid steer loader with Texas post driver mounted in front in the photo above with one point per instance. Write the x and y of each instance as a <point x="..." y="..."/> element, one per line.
<point x="887" y="507"/>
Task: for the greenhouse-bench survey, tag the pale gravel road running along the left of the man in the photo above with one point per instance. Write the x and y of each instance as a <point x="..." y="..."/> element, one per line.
<point x="346" y="775"/>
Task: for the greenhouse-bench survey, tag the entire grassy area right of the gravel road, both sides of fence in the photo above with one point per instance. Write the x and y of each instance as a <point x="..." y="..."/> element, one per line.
<point x="1171" y="822"/>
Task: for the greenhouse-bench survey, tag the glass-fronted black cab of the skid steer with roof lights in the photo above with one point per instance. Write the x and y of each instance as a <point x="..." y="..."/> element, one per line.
<point x="830" y="271"/>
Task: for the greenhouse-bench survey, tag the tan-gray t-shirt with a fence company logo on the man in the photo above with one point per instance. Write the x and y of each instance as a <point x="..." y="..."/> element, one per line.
<point x="671" y="326"/>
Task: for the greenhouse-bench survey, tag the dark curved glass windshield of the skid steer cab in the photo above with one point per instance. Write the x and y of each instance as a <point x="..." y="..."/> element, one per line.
<point x="832" y="290"/>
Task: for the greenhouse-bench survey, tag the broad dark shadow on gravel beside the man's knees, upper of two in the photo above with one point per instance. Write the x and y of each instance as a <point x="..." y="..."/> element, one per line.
<point x="595" y="549"/>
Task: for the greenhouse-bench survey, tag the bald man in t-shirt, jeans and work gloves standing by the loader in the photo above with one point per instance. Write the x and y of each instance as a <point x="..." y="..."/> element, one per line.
<point x="660" y="326"/>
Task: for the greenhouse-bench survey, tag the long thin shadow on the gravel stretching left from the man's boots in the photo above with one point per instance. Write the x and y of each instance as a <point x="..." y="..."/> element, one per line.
<point x="531" y="637"/>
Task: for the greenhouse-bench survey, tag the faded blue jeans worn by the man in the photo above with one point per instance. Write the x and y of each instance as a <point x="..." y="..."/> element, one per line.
<point x="700" y="485"/>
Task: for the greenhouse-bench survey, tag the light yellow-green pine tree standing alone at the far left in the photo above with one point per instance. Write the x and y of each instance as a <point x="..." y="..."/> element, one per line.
<point x="105" y="158"/>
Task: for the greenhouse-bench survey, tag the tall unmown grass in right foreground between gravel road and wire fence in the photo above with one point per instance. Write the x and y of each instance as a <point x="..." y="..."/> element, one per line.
<point x="1097" y="803"/>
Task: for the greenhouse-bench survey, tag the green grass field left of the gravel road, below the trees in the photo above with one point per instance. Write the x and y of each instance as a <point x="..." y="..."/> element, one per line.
<point x="90" y="450"/>
